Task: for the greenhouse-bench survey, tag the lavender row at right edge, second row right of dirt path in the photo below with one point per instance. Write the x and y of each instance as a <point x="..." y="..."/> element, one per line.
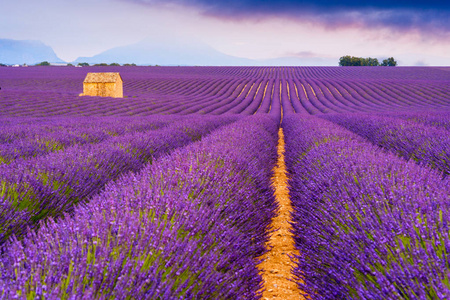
<point x="424" y="144"/>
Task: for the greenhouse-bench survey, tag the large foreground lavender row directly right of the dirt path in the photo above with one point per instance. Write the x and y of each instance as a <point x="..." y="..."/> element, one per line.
<point x="367" y="224"/>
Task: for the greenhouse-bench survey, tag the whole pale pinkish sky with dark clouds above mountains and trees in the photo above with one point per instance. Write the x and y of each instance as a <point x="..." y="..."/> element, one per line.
<point x="414" y="32"/>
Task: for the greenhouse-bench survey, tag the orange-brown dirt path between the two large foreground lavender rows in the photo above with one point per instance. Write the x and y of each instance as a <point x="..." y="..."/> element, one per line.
<point x="276" y="266"/>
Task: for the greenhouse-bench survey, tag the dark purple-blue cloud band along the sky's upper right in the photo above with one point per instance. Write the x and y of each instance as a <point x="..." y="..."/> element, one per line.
<point x="401" y="14"/>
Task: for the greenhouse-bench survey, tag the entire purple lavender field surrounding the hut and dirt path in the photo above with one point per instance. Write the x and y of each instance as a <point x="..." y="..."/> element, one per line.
<point x="167" y="193"/>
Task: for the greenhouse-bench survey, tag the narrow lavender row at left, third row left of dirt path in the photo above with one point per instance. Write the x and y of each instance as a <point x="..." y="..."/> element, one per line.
<point x="35" y="140"/>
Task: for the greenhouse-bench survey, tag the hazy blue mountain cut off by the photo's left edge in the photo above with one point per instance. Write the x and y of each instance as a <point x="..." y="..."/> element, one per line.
<point x="26" y="51"/>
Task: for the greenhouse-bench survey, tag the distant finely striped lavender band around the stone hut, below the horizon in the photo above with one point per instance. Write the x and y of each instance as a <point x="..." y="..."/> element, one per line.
<point x="177" y="92"/>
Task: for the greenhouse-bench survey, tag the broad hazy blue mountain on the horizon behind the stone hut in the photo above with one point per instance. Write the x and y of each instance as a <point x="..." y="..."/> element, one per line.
<point x="167" y="52"/>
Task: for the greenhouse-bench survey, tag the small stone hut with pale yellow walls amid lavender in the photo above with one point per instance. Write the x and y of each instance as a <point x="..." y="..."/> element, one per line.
<point x="103" y="85"/>
